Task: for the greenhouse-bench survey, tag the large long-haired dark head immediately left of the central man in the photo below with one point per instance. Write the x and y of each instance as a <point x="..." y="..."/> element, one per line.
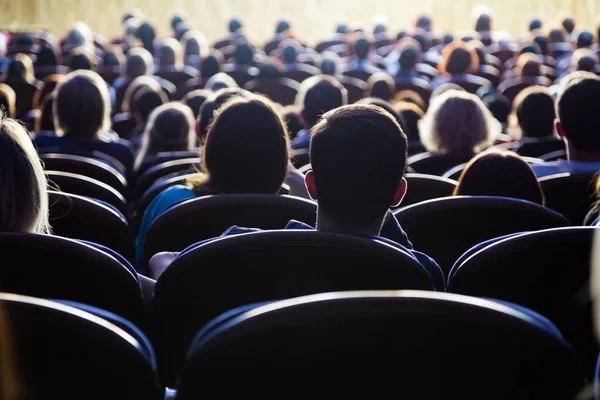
<point x="246" y="148"/>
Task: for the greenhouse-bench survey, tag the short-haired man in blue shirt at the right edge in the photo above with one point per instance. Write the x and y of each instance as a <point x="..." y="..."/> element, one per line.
<point x="578" y="124"/>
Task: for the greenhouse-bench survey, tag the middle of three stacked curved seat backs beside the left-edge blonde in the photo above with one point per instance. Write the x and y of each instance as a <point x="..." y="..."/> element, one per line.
<point x="85" y="186"/>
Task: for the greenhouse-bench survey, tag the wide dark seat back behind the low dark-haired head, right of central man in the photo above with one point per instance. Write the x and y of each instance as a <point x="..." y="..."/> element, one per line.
<point x="447" y="227"/>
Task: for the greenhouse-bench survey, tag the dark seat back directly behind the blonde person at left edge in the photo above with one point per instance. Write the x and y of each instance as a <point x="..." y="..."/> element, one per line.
<point x="59" y="268"/>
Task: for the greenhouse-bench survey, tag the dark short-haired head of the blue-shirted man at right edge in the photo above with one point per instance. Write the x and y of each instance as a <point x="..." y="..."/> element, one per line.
<point x="578" y="112"/>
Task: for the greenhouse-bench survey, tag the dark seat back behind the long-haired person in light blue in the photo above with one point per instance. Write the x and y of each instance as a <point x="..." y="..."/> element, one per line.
<point x="207" y="217"/>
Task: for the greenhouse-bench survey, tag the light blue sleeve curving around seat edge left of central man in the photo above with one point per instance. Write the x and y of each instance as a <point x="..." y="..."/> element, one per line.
<point x="168" y="198"/>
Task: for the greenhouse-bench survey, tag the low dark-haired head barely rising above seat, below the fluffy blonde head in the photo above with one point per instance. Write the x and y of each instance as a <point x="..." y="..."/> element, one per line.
<point x="499" y="173"/>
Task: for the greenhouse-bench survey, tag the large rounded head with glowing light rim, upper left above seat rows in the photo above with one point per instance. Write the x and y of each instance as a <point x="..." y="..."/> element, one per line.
<point x="82" y="105"/>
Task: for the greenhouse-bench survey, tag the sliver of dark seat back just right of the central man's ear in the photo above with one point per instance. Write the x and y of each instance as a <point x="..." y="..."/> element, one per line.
<point x="423" y="187"/>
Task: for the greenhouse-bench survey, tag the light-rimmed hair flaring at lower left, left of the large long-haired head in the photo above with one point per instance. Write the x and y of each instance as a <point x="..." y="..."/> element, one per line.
<point x="170" y="128"/>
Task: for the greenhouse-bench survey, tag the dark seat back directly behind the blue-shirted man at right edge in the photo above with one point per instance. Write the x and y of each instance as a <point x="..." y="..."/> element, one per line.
<point x="572" y="195"/>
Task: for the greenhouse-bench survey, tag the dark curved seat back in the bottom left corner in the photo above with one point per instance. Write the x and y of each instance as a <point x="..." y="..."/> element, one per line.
<point x="61" y="351"/>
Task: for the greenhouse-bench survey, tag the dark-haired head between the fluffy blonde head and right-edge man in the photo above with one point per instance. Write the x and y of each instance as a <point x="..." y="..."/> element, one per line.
<point x="535" y="112"/>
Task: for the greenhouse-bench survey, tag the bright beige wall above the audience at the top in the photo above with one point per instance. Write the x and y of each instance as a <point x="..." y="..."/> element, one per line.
<point x="311" y="18"/>
